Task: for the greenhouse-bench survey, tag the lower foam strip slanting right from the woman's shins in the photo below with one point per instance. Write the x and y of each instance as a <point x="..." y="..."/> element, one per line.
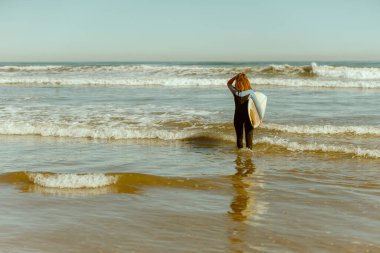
<point x="295" y="146"/>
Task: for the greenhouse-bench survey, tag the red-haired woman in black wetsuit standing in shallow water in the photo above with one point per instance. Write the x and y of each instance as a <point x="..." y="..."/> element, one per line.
<point x="242" y="91"/>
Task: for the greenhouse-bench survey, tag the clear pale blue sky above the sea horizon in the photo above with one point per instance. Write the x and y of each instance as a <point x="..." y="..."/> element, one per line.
<point x="189" y="30"/>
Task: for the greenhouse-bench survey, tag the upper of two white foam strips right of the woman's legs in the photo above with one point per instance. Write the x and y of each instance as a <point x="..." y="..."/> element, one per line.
<point x="326" y="129"/>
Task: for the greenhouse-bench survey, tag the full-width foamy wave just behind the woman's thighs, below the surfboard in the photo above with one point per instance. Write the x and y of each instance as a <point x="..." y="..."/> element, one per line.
<point x="222" y="131"/>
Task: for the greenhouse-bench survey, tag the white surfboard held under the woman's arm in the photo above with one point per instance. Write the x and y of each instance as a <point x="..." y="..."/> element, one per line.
<point x="256" y="108"/>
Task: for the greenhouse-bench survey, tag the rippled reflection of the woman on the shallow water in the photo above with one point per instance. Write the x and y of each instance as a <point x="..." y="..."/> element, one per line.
<point x="242" y="202"/>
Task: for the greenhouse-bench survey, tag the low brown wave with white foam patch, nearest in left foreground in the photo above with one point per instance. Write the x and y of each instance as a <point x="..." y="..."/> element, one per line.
<point x="117" y="182"/>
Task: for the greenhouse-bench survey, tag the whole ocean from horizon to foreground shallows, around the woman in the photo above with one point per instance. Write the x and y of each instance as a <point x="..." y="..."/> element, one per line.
<point x="141" y="157"/>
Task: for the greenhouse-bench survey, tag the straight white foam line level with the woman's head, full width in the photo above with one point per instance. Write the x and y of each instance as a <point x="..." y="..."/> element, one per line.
<point x="44" y="81"/>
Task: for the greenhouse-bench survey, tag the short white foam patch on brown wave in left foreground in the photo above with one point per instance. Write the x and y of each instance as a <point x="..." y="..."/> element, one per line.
<point x="73" y="181"/>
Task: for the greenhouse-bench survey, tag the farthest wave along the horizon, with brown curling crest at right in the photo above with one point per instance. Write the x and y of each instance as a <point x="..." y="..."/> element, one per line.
<point x="173" y="70"/>
